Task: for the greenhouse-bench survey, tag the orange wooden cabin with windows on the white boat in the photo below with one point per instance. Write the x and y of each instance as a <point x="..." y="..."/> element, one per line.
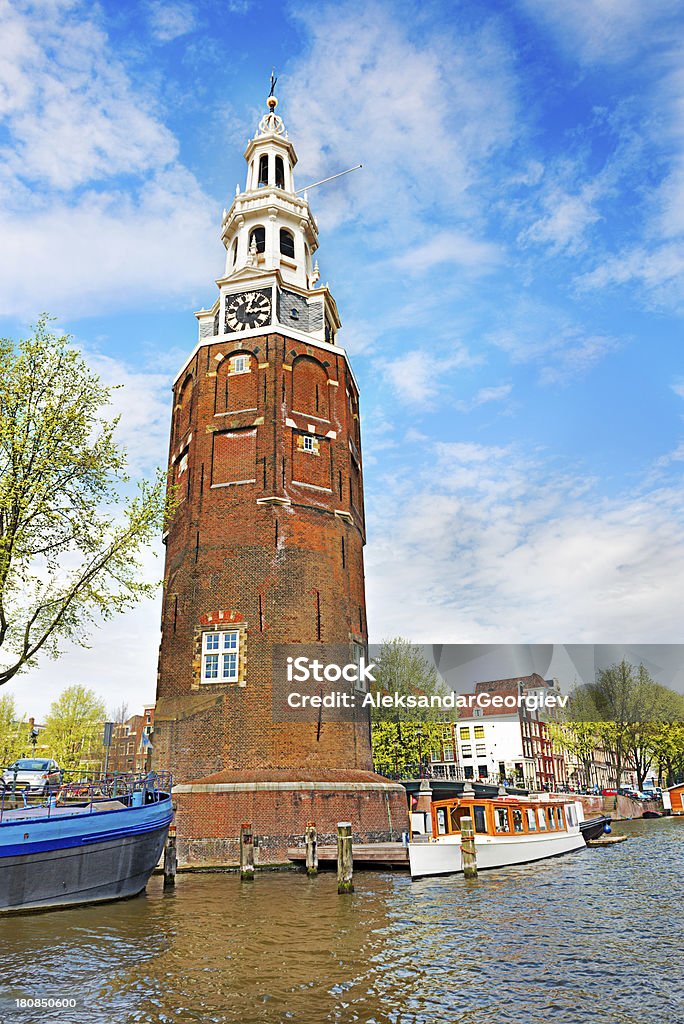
<point x="502" y="818"/>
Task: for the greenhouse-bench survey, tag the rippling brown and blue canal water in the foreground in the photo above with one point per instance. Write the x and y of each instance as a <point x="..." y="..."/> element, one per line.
<point x="593" y="936"/>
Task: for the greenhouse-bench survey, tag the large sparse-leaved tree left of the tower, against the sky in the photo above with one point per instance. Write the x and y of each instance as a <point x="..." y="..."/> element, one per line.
<point x="69" y="546"/>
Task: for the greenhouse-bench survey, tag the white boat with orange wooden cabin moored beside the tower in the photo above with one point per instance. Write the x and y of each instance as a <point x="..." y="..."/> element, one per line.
<point x="508" y="831"/>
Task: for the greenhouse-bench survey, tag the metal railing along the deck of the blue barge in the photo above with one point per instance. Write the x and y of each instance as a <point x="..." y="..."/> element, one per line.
<point x="79" y="790"/>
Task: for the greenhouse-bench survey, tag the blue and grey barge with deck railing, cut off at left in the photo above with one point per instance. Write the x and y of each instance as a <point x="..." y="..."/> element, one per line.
<point x="101" y="846"/>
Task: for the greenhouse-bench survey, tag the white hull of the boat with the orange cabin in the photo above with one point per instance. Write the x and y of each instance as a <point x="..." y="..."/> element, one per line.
<point x="444" y="857"/>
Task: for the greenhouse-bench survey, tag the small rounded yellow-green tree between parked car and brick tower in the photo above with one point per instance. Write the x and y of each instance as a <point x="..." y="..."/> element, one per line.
<point x="74" y="729"/>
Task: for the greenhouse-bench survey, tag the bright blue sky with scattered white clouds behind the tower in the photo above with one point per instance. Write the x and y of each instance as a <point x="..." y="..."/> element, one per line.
<point x="508" y="267"/>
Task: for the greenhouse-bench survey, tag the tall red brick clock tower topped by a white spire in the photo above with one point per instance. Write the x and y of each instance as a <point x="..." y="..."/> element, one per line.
<point x="267" y="545"/>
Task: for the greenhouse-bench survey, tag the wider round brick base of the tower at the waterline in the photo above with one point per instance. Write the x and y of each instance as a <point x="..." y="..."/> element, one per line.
<point x="280" y="805"/>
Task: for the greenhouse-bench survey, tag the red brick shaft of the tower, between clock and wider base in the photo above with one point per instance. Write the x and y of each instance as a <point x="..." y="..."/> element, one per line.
<point x="280" y="567"/>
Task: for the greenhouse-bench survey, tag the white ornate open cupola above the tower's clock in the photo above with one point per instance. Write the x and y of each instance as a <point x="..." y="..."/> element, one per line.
<point x="270" y="227"/>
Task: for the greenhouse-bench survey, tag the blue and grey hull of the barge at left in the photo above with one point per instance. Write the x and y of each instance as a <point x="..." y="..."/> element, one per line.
<point x="92" y="871"/>
